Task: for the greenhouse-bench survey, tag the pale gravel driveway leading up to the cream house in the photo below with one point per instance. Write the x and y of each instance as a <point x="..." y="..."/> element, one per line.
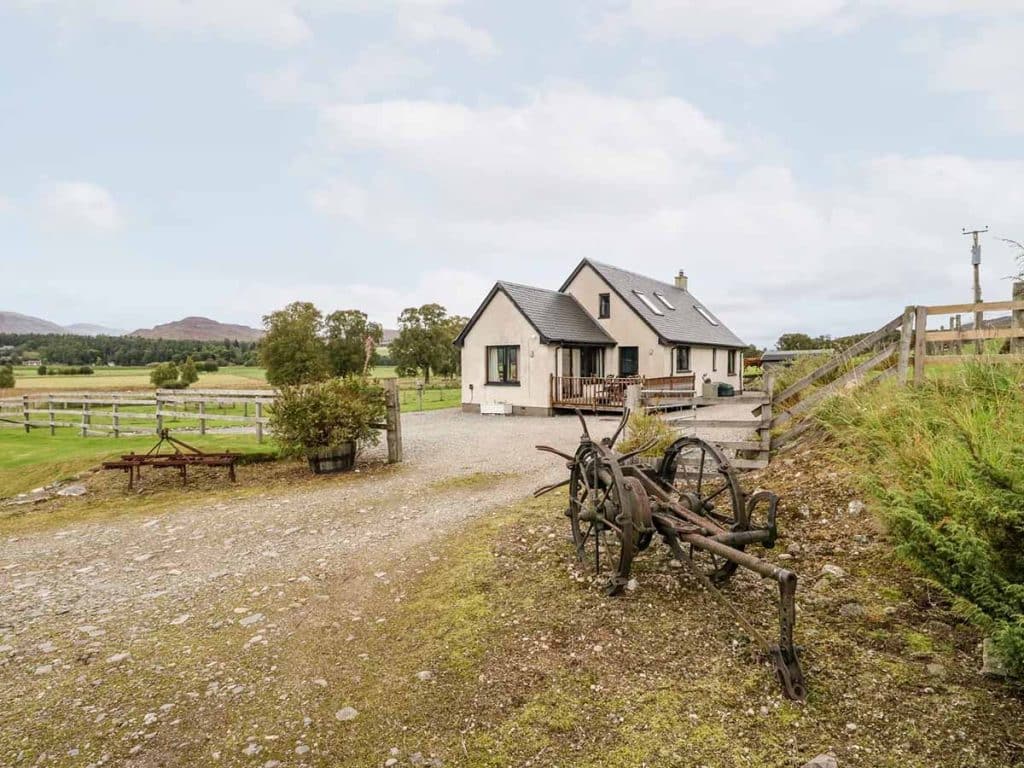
<point x="81" y="601"/>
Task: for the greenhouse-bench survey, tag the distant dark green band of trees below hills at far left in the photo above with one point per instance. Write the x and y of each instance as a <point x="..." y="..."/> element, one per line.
<point x="123" y="351"/>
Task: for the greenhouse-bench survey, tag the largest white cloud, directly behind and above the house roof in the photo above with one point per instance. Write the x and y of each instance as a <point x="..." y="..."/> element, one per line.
<point x="654" y="185"/>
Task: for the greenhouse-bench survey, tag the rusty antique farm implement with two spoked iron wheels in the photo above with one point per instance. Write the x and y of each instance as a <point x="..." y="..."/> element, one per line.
<point x="693" y="499"/>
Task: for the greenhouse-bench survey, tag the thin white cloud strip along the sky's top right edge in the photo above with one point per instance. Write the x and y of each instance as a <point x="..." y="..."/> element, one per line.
<point x="764" y="22"/>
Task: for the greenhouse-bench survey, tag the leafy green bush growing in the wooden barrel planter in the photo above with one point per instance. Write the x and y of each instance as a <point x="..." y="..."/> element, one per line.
<point x="327" y="414"/>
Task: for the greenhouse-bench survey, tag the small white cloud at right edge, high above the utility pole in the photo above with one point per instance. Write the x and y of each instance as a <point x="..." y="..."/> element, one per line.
<point x="991" y="64"/>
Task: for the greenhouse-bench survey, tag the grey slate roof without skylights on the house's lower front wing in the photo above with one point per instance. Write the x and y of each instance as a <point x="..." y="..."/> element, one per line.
<point x="558" y="318"/>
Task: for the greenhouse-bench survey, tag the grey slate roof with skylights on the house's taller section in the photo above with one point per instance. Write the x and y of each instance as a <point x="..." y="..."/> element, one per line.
<point x="685" y="325"/>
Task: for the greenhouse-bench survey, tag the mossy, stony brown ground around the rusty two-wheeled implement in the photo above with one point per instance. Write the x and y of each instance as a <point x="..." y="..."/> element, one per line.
<point x="532" y="665"/>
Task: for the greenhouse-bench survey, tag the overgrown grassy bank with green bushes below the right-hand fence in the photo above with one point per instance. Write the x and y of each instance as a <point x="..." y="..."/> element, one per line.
<point x="944" y="462"/>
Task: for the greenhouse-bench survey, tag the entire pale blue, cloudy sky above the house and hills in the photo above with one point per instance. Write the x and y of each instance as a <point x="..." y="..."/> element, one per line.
<point x="809" y="163"/>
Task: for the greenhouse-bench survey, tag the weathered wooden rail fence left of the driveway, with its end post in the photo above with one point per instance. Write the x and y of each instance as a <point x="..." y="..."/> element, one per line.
<point x="116" y="414"/>
